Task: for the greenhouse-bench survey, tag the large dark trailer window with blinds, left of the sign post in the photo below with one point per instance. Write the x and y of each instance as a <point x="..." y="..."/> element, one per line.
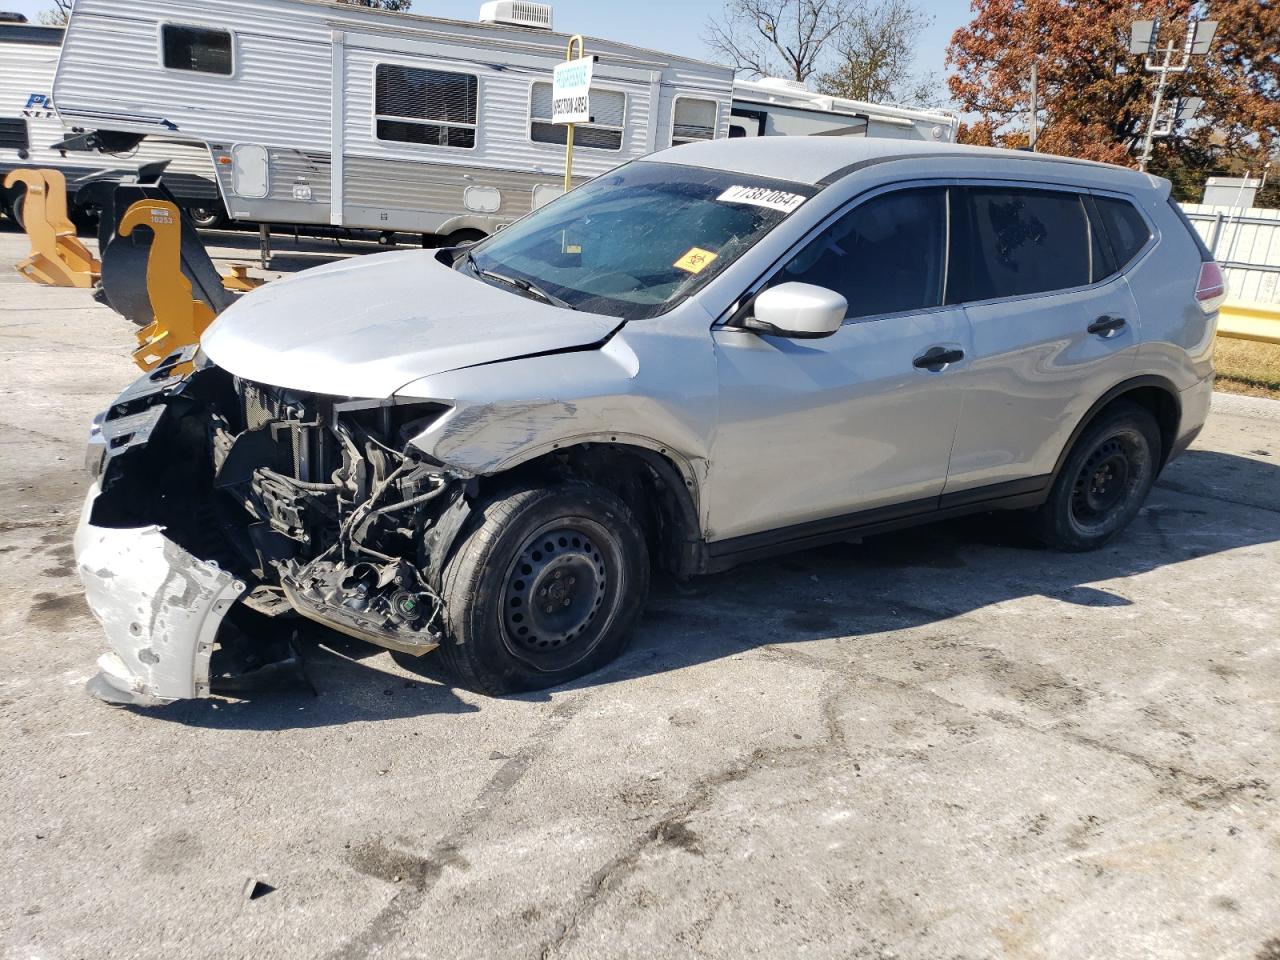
<point x="427" y="107"/>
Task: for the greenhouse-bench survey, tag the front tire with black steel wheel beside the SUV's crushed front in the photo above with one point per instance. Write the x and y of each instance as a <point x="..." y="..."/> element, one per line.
<point x="589" y="588"/>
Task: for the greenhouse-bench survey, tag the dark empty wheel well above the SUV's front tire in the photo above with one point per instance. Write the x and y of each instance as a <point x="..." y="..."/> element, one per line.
<point x="647" y="482"/>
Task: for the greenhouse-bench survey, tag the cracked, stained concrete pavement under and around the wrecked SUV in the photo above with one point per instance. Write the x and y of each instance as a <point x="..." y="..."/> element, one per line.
<point x="943" y="744"/>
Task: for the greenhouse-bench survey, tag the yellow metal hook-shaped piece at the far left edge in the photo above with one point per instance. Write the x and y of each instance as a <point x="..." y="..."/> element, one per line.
<point x="58" y="259"/>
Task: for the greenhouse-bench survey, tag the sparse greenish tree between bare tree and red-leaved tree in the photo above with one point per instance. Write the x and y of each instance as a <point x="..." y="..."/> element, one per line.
<point x="877" y="54"/>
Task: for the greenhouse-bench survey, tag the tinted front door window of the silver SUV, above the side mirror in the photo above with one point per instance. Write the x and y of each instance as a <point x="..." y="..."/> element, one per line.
<point x="885" y="257"/>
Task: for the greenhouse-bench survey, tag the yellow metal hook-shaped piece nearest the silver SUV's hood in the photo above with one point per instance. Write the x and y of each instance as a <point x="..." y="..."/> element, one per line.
<point x="180" y="318"/>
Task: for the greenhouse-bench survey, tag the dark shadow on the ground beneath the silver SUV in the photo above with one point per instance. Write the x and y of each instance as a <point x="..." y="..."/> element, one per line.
<point x="1206" y="504"/>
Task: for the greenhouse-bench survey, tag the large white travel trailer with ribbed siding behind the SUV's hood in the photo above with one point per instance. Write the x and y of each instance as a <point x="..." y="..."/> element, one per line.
<point x="319" y="113"/>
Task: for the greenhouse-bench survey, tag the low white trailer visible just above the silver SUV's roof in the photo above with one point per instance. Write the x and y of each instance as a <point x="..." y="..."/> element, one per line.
<point x="785" y="108"/>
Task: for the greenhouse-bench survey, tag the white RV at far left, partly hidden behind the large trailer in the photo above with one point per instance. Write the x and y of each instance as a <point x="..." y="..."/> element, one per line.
<point x="30" y="130"/>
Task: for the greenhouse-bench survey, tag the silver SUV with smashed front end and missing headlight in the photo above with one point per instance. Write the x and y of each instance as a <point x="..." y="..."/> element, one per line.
<point x="724" y="351"/>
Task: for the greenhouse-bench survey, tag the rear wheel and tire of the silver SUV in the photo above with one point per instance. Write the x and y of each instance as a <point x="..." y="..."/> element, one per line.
<point x="1104" y="483"/>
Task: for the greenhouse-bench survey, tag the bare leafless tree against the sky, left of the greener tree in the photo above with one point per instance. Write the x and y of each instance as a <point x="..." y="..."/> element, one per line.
<point x="778" y="38"/>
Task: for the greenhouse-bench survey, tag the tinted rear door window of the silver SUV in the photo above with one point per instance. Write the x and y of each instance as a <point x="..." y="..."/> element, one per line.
<point x="1016" y="243"/>
